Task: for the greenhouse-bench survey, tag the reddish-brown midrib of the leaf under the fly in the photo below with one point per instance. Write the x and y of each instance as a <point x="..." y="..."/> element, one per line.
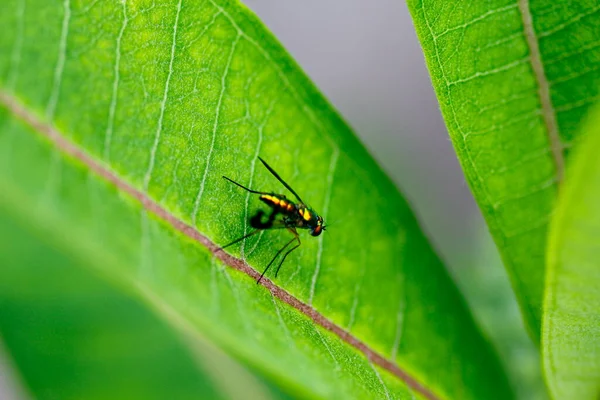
<point x="20" y="112"/>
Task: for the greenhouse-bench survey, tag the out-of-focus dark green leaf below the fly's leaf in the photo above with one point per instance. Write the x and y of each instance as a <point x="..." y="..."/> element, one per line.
<point x="74" y="336"/>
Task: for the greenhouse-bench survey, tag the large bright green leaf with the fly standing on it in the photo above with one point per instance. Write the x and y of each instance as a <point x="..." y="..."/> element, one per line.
<point x="118" y="121"/>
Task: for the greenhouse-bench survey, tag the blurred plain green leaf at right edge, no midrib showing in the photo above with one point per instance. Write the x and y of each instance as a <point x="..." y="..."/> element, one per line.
<point x="571" y="325"/>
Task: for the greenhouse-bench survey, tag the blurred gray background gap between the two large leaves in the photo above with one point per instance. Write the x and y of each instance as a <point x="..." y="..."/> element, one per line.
<point x="366" y="59"/>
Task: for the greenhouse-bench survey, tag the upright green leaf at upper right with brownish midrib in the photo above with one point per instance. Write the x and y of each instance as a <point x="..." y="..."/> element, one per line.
<point x="513" y="79"/>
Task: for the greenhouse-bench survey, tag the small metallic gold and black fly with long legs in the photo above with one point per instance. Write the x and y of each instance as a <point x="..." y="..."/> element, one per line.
<point x="293" y="215"/>
